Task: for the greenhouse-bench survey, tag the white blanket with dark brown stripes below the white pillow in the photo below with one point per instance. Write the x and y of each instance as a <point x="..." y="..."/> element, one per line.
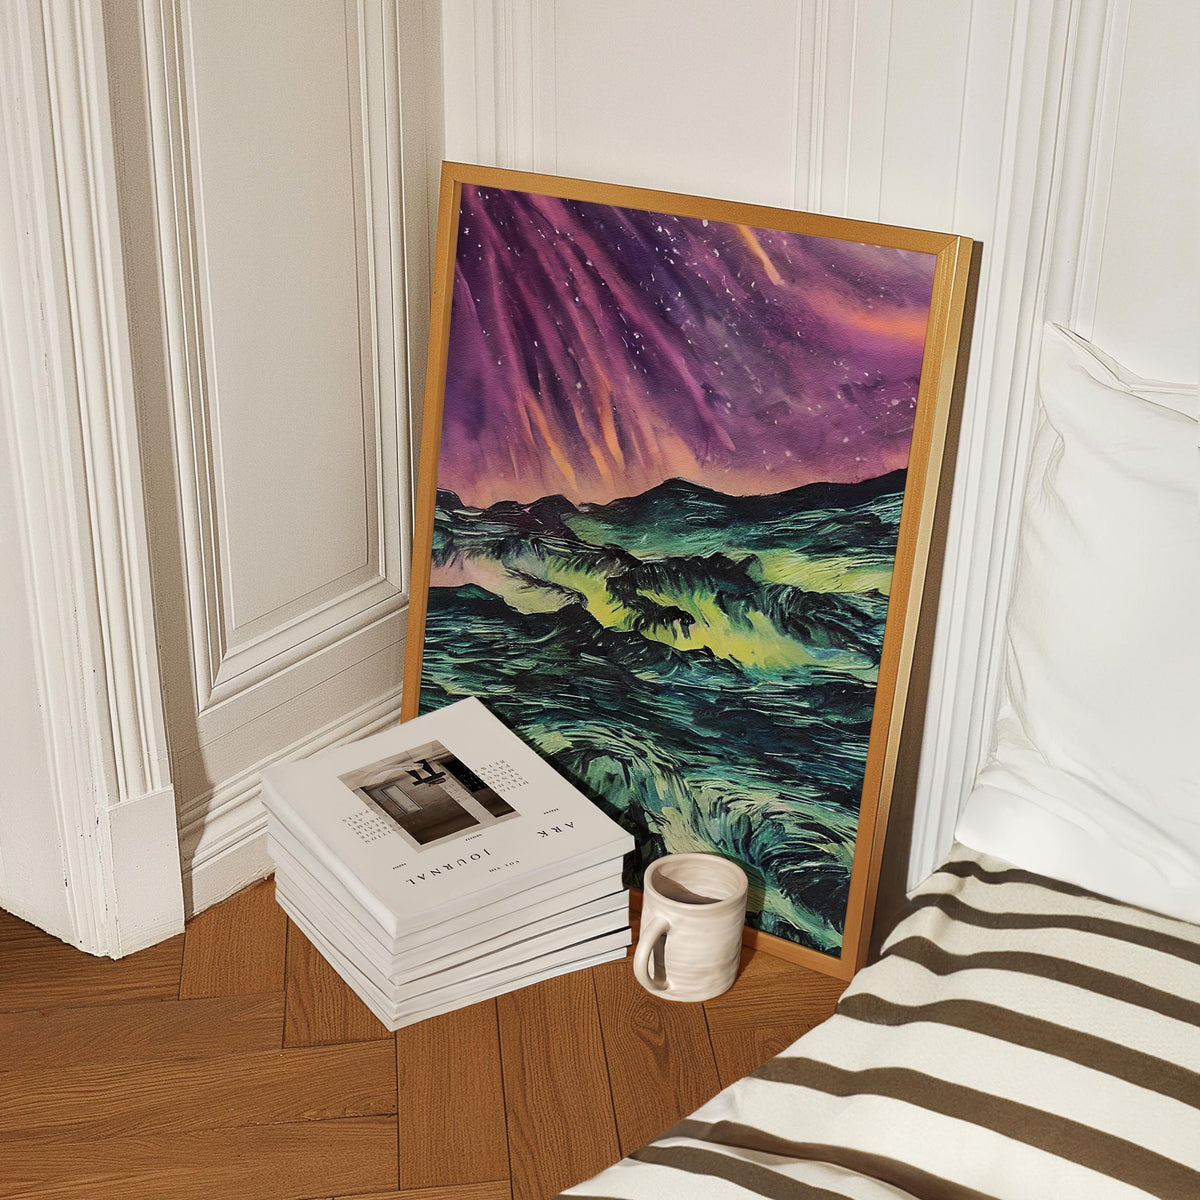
<point x="1019" y="1040"/>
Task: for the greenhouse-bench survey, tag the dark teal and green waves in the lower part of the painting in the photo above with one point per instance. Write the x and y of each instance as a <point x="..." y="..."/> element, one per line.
<point x="703" y="667"/>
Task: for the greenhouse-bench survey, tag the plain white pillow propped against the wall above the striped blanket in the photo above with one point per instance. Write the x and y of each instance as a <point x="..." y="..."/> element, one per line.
<point x="1095" y="778"/>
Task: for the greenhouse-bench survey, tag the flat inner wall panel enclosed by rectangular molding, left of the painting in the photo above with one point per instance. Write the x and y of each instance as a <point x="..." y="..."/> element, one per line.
<point x="280" y="235"/>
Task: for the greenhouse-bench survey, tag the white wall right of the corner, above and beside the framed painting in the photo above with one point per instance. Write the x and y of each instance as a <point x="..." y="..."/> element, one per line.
<point x="1049" y="131"/>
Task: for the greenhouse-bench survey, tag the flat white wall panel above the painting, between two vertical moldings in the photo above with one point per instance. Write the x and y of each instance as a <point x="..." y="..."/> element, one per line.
<point x="701" y="94"/>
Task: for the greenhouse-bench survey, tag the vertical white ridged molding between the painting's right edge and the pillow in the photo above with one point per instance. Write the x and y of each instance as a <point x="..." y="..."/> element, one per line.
<point x="1055" y="69"/>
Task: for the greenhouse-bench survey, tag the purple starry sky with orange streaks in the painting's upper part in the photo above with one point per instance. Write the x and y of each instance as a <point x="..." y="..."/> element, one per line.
<point x="598" y="351"/>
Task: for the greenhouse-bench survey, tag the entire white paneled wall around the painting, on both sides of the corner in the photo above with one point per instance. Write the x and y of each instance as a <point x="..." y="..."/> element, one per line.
<point x="263" y="202"/>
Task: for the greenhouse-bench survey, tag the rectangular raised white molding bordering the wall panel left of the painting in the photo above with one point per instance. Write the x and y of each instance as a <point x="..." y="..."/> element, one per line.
<point x="232" y="658"/>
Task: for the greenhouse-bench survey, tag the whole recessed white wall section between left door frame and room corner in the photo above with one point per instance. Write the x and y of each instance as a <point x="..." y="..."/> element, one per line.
<point x="274" y="675"/>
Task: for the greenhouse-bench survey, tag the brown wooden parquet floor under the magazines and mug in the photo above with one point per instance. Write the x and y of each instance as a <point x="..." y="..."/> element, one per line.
<point x="233" y="1063"/>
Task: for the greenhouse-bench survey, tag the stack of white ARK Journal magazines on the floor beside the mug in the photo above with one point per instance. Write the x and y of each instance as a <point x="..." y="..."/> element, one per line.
<point x="445" y="862"/>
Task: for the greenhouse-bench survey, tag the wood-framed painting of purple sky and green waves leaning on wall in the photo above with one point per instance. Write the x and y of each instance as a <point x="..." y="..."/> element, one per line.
<point x="680" y="461"/>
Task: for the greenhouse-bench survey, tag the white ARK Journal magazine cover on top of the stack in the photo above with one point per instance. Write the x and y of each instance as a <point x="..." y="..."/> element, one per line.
<point x="440" y="815"/>
